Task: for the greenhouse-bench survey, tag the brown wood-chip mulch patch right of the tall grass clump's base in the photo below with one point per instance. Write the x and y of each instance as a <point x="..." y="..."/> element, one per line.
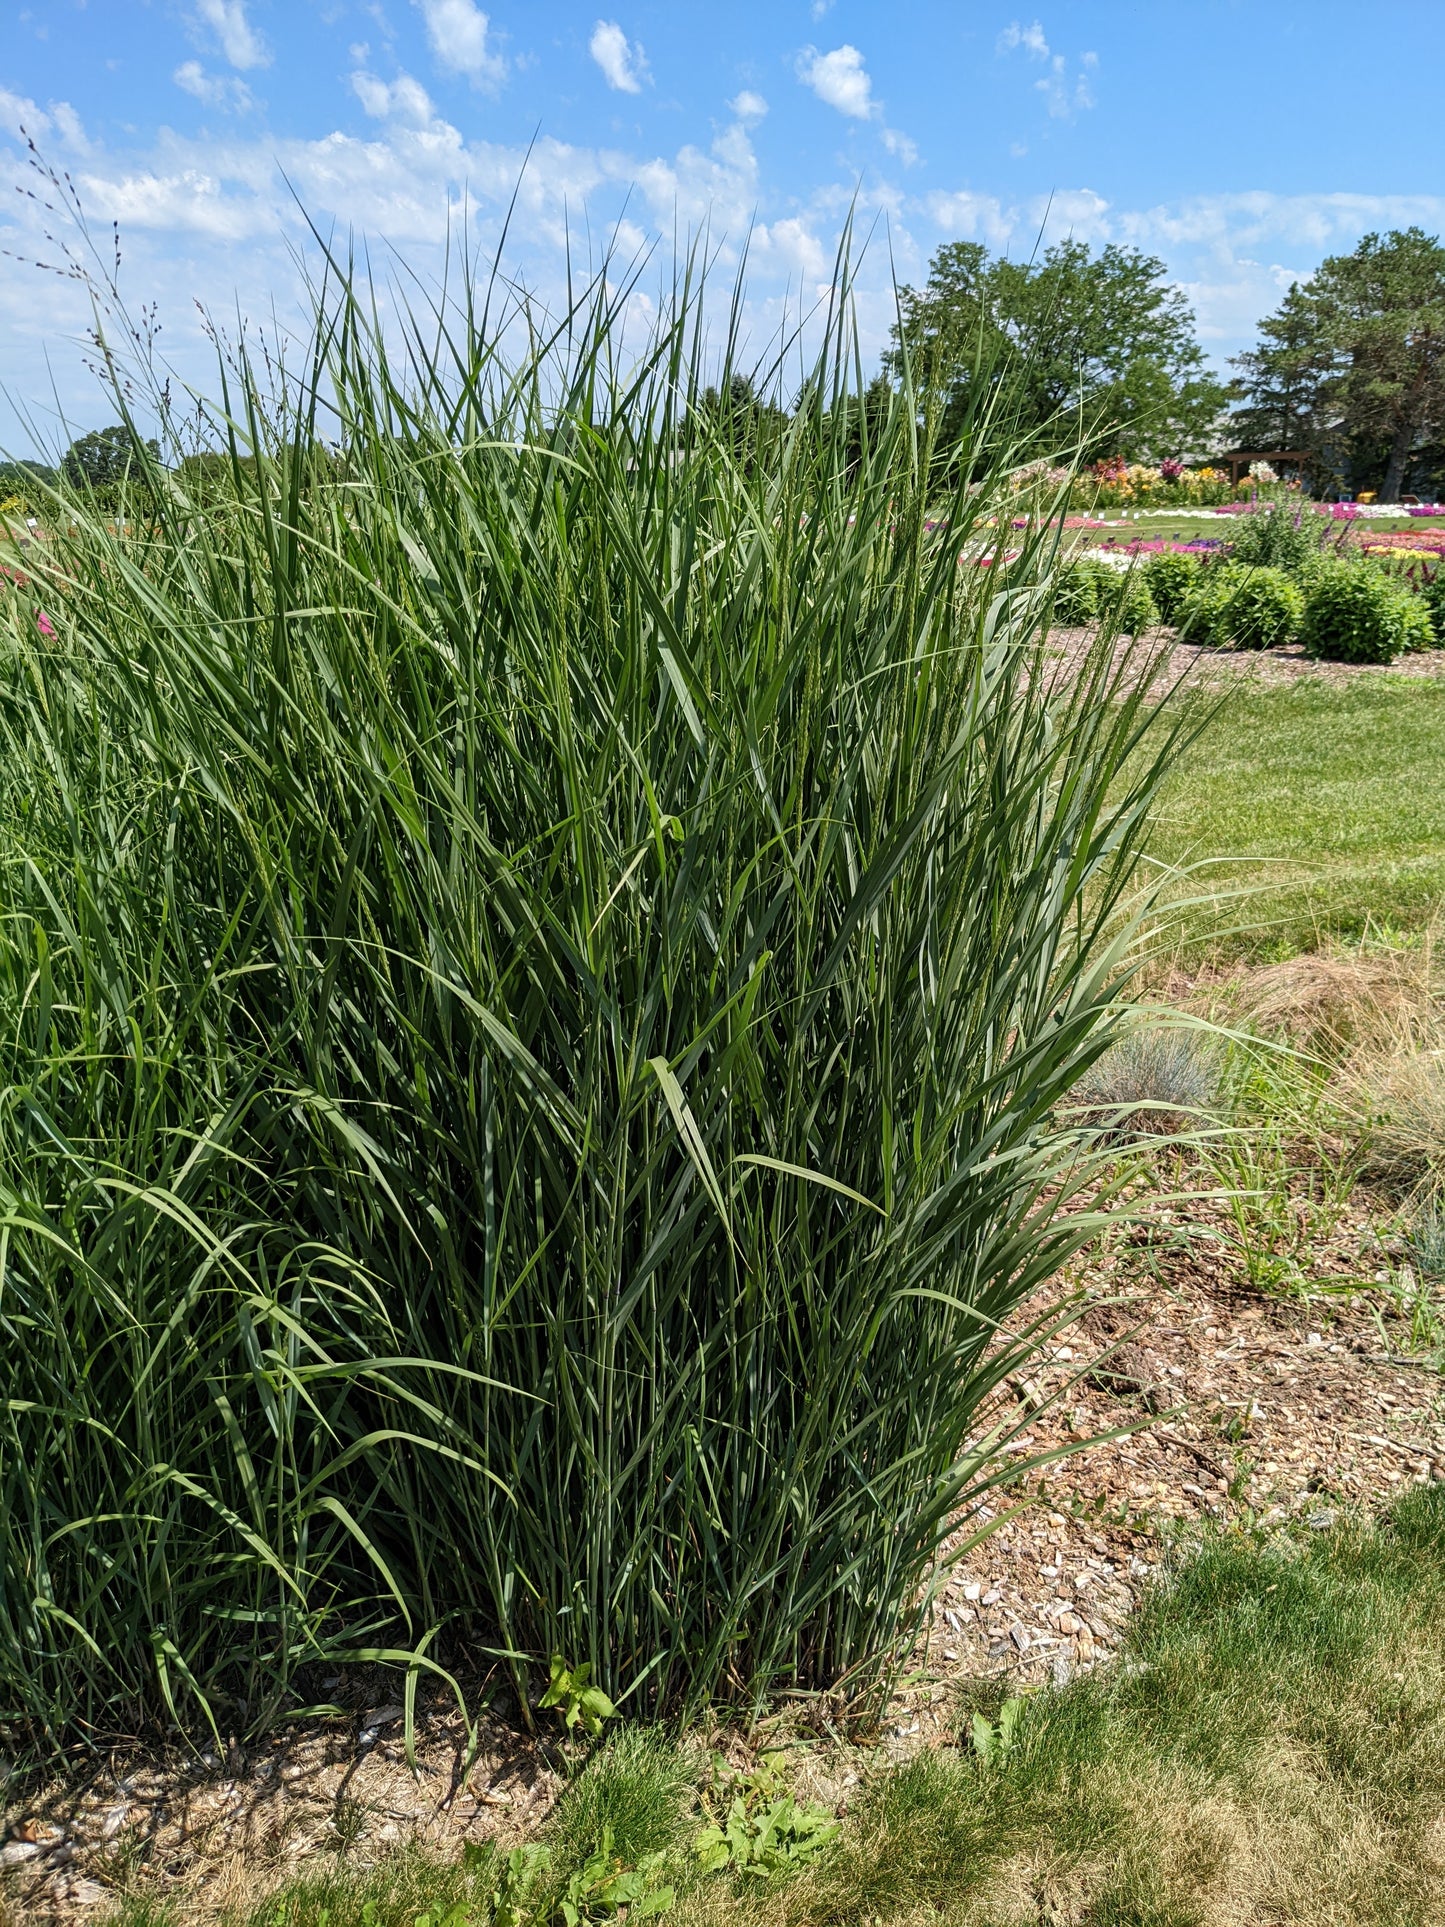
<point x="1246" y="1412"/>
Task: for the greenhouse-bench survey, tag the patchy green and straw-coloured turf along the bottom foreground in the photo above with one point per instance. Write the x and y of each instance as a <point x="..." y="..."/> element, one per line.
<point x="1269" y="1747"/>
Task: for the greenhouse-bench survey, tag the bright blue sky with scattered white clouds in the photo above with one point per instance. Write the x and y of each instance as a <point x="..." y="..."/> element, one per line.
<point x="1238" y="142"/>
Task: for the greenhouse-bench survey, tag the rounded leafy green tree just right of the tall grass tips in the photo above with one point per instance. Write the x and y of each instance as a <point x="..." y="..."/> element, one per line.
<point x="1101" y="346"/>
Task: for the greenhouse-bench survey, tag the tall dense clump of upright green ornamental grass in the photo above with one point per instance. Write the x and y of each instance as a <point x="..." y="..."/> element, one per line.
<point x="540" y="951"/>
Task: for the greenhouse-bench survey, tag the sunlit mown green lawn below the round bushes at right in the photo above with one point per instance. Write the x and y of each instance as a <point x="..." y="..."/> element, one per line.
<point x="1309" y="812"/>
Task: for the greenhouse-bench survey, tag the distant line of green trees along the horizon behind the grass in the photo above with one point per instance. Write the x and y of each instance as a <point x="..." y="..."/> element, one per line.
<point x="1095" y="350"/>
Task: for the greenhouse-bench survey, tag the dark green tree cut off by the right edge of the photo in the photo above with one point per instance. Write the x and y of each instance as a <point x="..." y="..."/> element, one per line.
<point x="1352" y="367"/>
